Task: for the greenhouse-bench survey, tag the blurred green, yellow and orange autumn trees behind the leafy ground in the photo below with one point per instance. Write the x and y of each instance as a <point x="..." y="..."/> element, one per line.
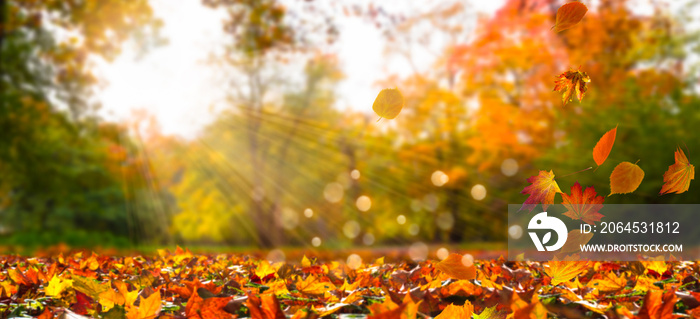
<point x="282" y="165"/>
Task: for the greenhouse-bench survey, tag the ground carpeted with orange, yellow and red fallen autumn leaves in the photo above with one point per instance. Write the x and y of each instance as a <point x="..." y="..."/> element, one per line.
<point x="181" y="284"/>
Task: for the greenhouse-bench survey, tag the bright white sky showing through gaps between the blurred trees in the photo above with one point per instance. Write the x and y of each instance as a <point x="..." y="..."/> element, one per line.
<point x="177" y="85"/>
